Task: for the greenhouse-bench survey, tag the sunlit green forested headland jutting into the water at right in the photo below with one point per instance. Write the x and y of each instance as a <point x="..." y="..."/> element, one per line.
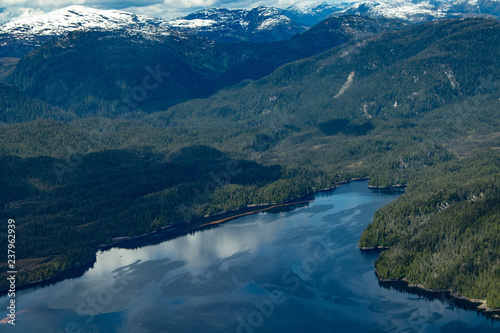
<point x="445" y="232"/>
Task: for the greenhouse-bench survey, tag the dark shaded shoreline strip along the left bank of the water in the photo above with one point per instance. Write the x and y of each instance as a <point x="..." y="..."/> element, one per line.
<point x="173" y="231"/>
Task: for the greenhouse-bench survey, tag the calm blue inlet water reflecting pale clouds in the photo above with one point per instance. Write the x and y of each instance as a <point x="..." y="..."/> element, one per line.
<point x="296" y="271"/>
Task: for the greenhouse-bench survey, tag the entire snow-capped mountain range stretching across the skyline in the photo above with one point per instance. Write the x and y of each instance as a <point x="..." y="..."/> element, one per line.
<point x="261" y="24"/>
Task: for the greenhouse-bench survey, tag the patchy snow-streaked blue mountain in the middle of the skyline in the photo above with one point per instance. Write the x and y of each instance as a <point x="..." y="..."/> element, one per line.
<point x="261" y="24"/>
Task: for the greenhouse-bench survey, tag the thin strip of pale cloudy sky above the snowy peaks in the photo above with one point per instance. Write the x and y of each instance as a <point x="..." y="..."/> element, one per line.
<point x="10" y="9"/>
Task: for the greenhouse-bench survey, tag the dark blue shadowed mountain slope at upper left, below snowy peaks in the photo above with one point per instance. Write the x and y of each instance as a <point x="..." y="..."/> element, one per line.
<point x="112" y="69"/>
